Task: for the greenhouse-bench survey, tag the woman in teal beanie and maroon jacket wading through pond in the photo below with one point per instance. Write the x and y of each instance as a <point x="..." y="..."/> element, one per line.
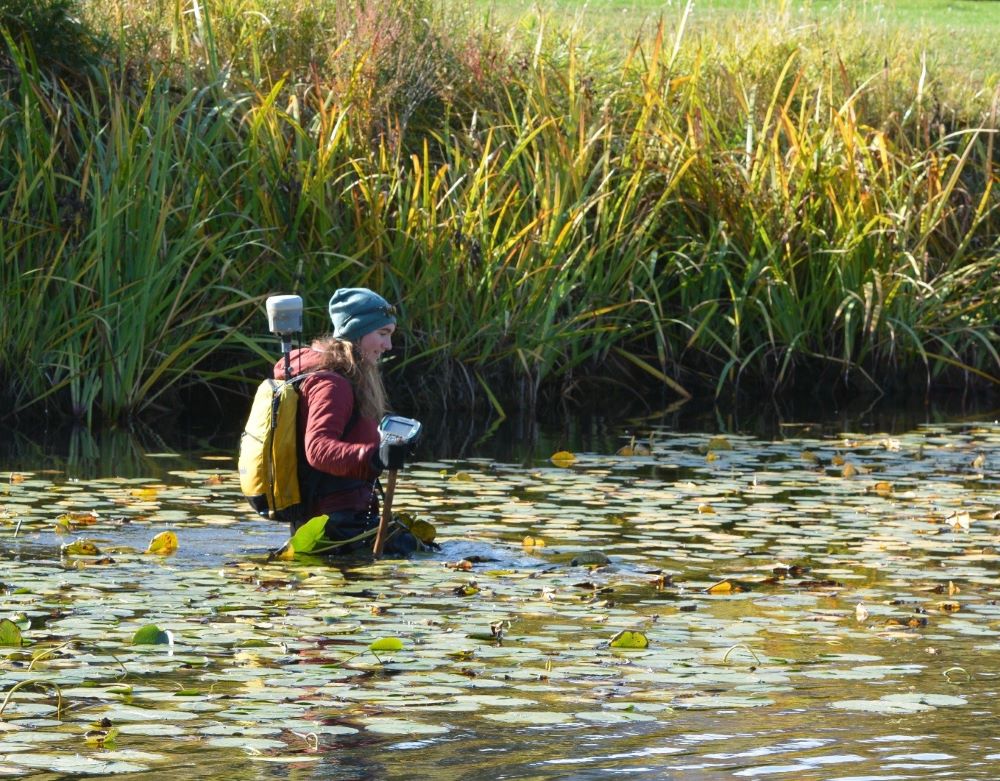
<point x="341" y="403"/>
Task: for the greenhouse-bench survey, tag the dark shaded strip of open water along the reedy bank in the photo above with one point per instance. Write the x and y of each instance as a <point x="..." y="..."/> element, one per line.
<point x="144" y="450"/>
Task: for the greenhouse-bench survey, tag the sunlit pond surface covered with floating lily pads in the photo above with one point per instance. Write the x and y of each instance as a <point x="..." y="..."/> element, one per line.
<point x="809" y="604"/>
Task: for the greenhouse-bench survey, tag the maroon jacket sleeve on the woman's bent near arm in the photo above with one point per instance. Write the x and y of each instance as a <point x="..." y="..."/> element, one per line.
<point x="327" y="403"/>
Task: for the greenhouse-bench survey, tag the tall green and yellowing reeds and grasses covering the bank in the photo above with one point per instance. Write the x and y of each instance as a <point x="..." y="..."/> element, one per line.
<point x="701" y="204"/>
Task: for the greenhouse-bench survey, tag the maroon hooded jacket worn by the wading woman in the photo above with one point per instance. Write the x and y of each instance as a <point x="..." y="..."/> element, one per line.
<point x="333" y="444"/>
